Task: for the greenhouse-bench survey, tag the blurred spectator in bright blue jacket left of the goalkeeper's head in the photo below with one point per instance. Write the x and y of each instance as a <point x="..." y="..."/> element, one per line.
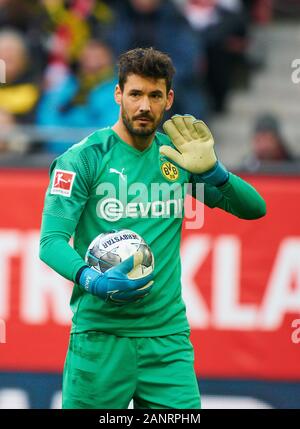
<point x="83" y="99"/>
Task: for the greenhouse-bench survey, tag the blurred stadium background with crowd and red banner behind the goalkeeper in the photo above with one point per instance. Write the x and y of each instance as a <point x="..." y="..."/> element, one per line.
<point x="238" y="68"/>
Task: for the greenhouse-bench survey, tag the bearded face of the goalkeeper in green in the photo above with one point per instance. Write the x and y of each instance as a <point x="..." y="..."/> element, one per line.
<point x="143" y="103"/>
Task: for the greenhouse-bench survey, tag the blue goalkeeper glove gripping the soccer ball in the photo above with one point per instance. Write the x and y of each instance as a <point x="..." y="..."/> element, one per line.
<point x="114" y="284"/>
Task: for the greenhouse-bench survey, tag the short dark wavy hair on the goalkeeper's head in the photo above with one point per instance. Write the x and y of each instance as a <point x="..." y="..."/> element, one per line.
<point x="146" y="62"/>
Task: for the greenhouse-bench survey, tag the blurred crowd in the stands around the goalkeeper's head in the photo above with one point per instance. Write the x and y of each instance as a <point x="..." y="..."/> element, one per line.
<point x="61" y="55"/>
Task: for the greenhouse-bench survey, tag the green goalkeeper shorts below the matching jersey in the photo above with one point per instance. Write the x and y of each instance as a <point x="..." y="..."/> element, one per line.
<point x="106" y="372"/>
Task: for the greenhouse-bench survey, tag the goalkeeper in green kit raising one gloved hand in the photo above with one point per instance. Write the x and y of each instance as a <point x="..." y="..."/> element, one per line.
<point x="139" y="348"/>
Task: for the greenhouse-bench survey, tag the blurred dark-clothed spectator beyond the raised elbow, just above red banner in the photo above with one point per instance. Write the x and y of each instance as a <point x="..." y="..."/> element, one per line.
<point x="267" y="143"/>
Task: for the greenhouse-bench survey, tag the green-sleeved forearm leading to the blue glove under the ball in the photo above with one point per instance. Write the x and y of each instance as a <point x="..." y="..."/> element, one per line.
<point x="55" y="250"/>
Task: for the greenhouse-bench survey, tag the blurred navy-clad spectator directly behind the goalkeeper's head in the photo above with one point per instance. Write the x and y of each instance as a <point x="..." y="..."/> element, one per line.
<point x="145" y="23"/>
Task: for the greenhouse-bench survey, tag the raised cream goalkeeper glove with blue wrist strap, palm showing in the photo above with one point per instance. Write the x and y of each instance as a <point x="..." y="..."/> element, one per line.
<point x="195" y="149"/>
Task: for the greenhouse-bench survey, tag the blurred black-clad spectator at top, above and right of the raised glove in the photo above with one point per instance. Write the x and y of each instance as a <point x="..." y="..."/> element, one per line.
<point x="222" y="27"/>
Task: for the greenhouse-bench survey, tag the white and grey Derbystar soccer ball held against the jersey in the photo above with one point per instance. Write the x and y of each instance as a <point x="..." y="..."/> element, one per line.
<point x="111" y="248"/>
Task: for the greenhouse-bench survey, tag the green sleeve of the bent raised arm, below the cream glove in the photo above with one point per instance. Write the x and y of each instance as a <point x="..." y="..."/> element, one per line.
<point x="236" y="196"/>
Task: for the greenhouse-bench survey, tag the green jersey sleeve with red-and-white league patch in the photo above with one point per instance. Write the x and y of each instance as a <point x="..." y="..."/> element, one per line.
<point x="66" y="196"/>
